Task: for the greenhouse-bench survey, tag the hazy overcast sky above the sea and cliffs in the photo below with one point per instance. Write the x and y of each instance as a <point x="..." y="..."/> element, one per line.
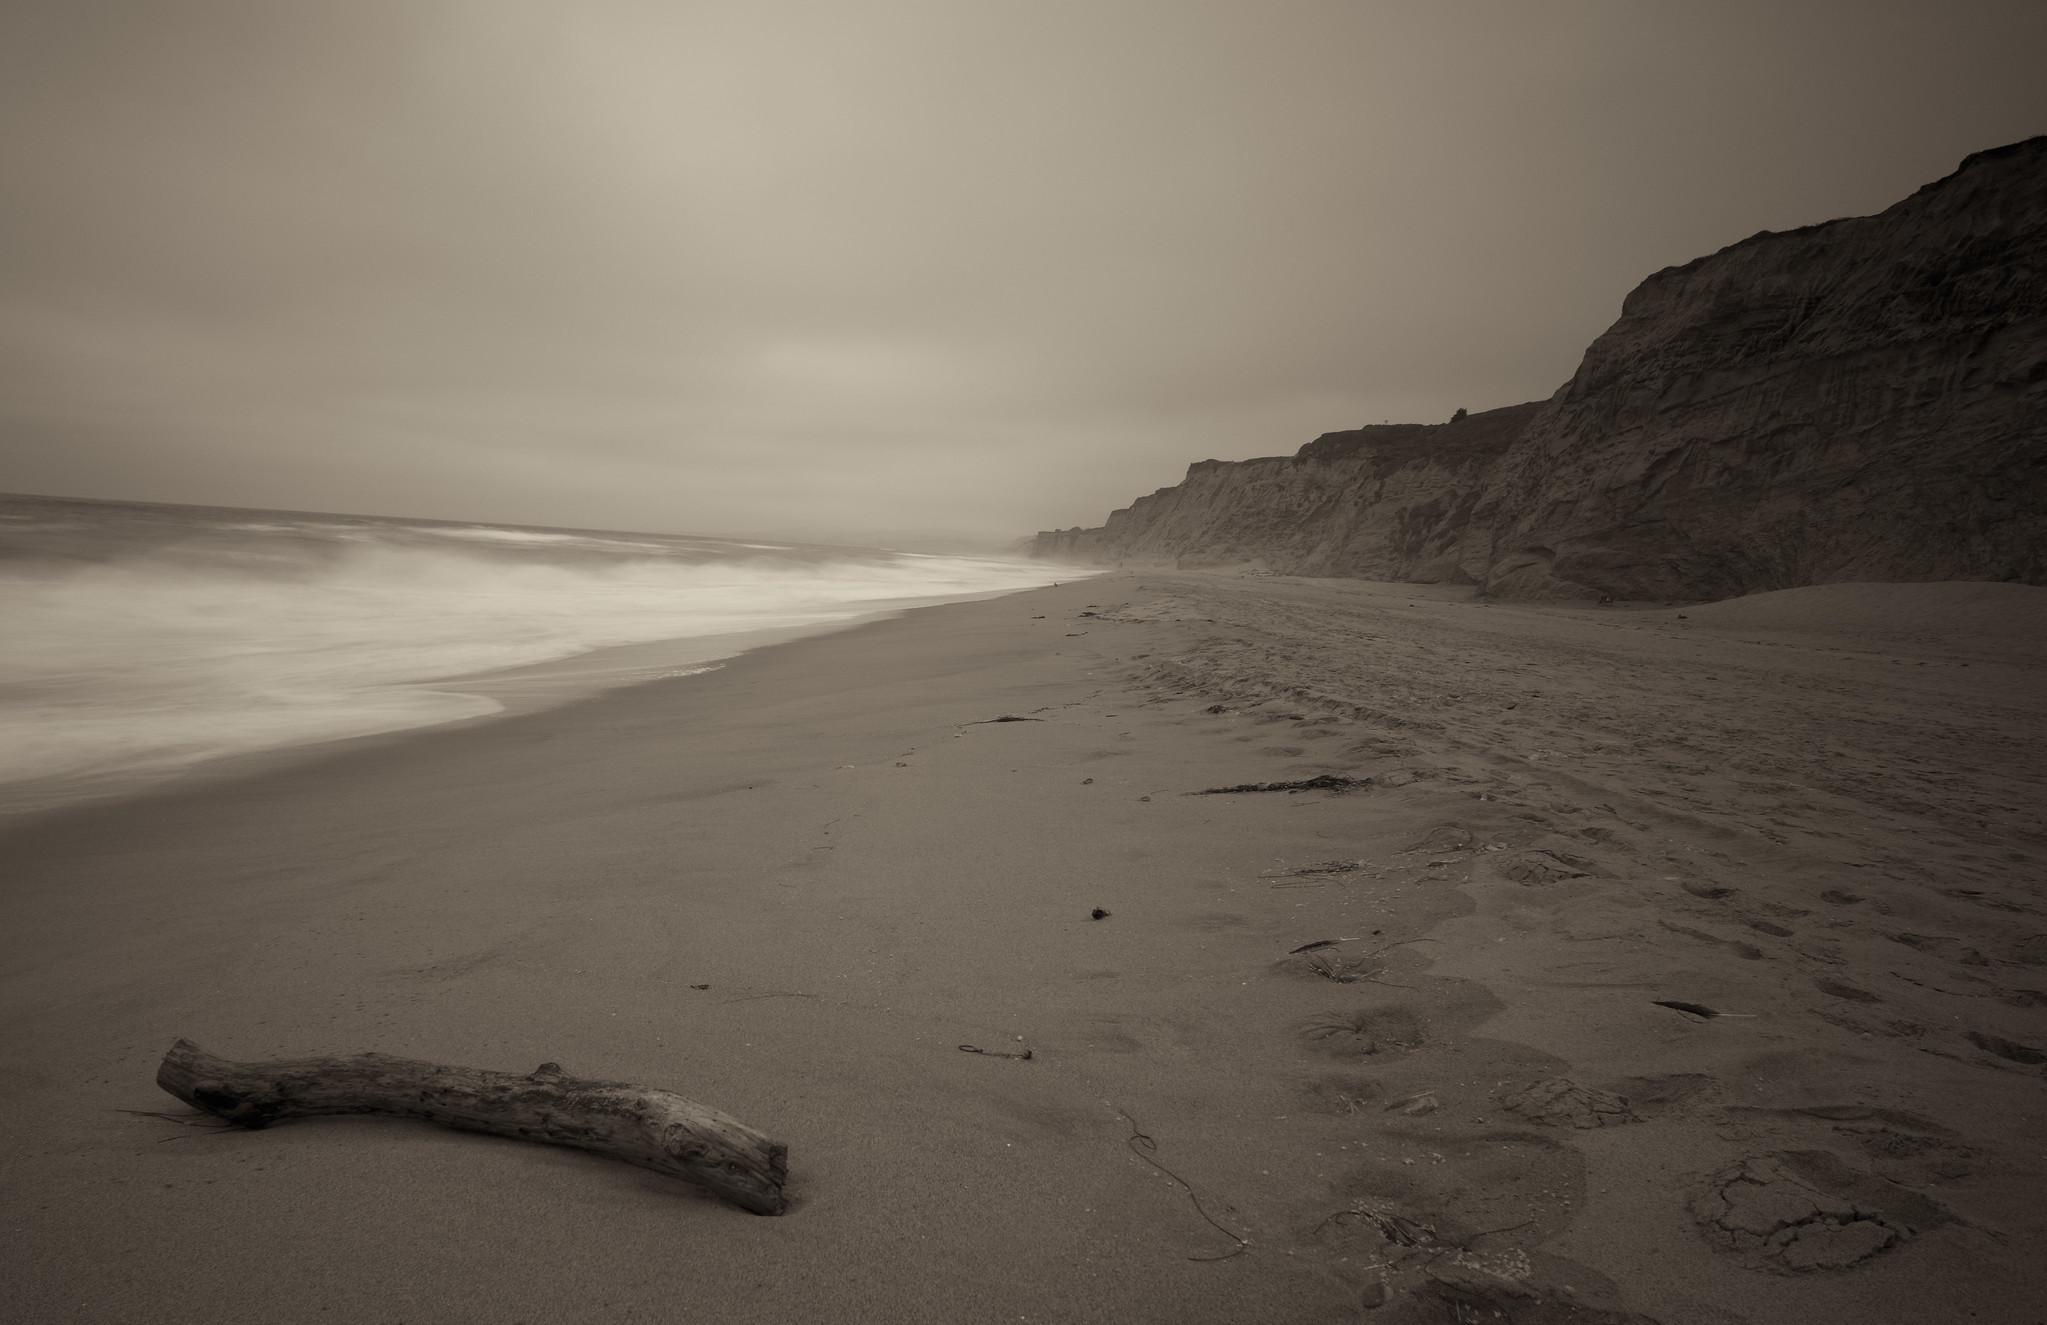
<point x="883" y="271"/>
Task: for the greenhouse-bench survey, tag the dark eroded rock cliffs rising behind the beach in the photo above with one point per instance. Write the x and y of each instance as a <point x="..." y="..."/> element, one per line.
<point x="1856" y="400"/>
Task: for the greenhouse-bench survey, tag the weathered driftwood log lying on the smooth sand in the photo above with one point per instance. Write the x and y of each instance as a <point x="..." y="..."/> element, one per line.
<point x="648" y="1127"/>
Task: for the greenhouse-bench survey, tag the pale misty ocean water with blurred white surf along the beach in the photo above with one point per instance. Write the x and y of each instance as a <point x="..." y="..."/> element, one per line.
<point x="138" y="640"/>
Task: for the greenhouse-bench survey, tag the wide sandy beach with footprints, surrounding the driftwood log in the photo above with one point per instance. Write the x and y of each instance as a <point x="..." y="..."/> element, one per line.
<point x="1817" y="814"/>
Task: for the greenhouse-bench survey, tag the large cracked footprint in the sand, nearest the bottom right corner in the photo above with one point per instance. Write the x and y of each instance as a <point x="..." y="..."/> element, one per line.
<point x="1806" y="1211"/>
